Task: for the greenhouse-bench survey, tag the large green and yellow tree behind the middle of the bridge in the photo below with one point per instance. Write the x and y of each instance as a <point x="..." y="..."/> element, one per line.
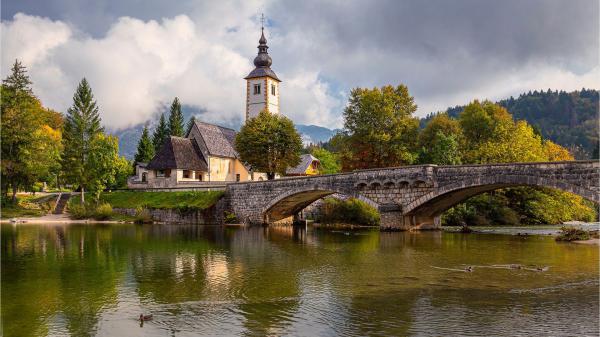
<point x="379" y="128"/>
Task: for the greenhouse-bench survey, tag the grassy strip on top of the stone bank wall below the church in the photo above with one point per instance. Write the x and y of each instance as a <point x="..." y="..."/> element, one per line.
<point x="183" y="201"/>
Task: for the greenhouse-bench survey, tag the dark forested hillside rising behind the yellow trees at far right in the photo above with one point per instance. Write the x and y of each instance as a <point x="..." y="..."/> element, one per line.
<point x="567" y="118"/>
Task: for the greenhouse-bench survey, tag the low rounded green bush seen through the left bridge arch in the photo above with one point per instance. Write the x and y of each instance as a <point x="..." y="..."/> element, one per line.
<point x="350" y="211"/>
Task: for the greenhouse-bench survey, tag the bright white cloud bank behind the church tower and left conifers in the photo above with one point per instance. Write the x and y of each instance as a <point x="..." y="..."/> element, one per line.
<point x="138" y="66"/>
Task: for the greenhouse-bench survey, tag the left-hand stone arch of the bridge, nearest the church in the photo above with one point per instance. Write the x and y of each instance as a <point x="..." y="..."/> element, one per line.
<point x="295" y="200"/>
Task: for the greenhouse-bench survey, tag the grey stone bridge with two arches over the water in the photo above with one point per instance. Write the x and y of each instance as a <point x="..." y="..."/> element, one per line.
<point x="408" y="197"/>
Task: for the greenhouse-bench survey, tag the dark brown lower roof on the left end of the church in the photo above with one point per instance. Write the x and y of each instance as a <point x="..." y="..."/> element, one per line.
<point x="178" y="153"/>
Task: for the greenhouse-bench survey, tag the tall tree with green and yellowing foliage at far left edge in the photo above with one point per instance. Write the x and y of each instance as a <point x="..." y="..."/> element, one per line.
<point x="30" y="145"/>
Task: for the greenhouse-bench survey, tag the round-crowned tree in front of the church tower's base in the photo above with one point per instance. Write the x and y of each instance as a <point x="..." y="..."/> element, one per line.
<point x="269" y="143"/>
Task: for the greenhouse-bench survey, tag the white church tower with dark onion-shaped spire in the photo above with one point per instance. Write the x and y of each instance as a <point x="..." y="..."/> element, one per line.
<point x="262" y="85"/>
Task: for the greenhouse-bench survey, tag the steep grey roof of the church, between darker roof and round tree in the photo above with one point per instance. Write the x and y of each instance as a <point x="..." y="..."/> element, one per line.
<point x="219" y="140"/>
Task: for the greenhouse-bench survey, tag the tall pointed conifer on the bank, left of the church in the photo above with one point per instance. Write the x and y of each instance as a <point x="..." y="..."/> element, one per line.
<point x="81" y="128"/>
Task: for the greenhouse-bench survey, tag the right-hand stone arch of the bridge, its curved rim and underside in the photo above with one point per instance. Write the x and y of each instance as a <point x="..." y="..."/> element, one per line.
<point x="446" y="196"/>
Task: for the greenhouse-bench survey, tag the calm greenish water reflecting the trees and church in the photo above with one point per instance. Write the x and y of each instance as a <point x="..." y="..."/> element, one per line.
<point x="96" y="280"/>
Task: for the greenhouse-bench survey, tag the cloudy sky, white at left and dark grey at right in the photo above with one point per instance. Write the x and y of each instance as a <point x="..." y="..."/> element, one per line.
<point x="139" y="54"/>
